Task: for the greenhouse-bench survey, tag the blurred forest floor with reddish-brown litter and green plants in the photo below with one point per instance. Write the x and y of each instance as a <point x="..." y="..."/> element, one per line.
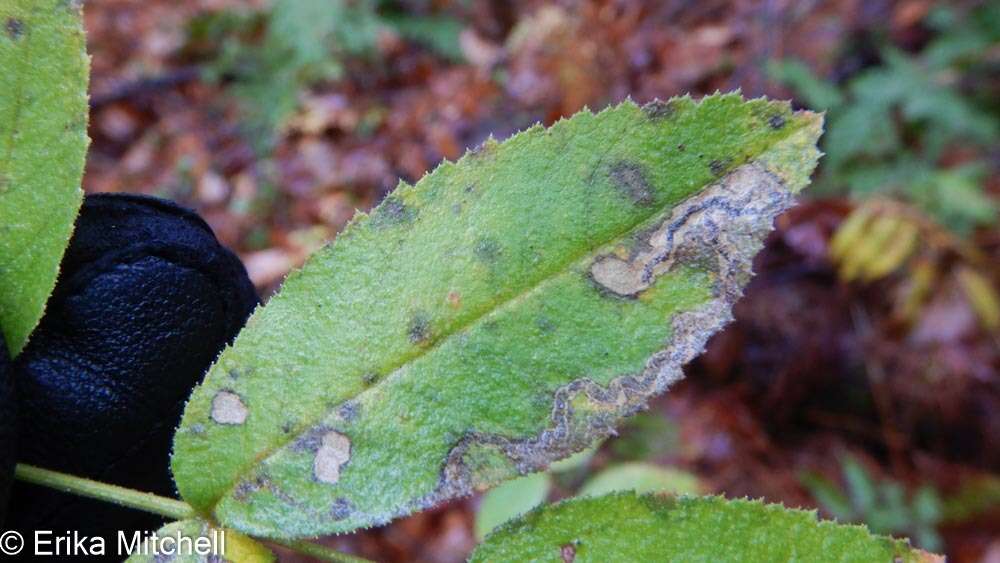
<point x="862" y="374"/>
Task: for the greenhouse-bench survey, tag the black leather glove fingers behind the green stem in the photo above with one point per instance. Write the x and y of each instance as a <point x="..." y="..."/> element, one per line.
<point x="146" y="300"/>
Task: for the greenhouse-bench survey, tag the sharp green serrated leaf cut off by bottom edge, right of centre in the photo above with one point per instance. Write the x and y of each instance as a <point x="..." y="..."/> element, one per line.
<point x="626" y="527"/>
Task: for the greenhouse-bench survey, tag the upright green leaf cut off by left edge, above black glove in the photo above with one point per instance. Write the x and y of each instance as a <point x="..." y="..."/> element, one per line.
<point x="43" y="141"/>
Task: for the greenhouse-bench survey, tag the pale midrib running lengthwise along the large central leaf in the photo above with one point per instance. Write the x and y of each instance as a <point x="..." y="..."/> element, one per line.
<point x="500" y="304"/>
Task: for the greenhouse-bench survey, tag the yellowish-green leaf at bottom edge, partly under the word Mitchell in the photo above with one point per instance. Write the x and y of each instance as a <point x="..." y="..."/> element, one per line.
<point x="195" y="541"/>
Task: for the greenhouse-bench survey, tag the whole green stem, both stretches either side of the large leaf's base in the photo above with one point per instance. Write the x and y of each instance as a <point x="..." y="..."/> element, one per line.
<point x="148" y="502"/>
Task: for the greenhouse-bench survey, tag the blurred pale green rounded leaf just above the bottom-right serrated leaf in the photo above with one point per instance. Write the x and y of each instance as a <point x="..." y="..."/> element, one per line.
<point x="641" y="478"/>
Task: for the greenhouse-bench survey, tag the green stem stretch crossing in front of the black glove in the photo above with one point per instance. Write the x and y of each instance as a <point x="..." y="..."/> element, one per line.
<point x="122" y="496"/>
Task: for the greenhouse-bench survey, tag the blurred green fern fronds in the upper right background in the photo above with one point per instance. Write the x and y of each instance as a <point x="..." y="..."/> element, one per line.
<point x="890" y="125"/>
